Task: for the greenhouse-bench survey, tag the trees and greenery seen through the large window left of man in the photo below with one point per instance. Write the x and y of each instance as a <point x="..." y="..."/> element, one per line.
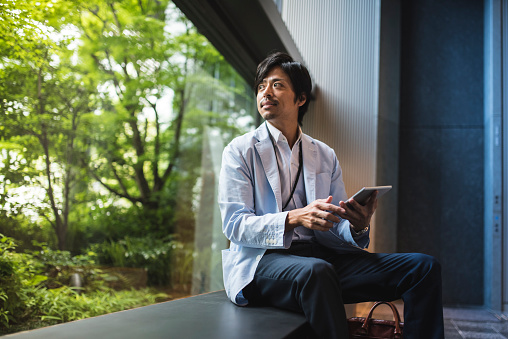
<point x="103" y="110"/>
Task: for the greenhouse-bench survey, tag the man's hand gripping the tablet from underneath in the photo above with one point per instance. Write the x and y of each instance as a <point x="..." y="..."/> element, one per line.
<point x="359" y="216"/>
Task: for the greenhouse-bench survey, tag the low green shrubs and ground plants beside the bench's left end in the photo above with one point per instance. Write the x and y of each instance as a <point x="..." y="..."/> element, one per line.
<point x="27" y="301"/>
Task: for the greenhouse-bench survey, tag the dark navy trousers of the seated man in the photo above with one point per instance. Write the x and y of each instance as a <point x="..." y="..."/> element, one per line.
<point x="317" y="281"/>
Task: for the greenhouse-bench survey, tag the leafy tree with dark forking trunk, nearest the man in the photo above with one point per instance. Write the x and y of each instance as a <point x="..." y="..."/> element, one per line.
<point x="137" y="142"/>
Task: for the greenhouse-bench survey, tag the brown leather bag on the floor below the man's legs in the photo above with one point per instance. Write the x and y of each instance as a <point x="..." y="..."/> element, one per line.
<point x="376" y="328"/>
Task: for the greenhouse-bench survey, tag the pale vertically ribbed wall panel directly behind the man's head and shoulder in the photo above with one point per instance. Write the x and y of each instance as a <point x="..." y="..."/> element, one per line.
<point x="339" y="41"/>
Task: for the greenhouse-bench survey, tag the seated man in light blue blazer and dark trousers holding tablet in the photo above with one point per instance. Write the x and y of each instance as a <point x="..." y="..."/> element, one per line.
<point x="295" y="243"/>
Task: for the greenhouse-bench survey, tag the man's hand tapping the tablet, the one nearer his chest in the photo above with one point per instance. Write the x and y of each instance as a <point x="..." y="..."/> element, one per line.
<point x="318" y="215"/>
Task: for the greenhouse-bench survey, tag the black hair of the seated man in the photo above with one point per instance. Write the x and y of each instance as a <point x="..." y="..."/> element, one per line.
<point x="298" y="75"/>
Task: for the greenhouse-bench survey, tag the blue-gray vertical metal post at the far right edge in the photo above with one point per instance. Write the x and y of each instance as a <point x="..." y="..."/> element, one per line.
<point x="494" y="288"/>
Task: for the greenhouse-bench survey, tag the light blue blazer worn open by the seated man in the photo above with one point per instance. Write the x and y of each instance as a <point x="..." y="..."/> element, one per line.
<point x="251" y="204"/>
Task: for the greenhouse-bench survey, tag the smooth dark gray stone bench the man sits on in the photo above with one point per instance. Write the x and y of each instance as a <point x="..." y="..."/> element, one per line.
<point x="207" y="316"/>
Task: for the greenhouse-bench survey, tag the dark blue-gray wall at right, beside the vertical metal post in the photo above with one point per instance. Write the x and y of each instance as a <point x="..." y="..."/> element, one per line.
<point x="441" y="141"/>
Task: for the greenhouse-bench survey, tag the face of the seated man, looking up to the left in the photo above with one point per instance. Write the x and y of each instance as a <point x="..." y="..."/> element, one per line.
<point x="276" y="98"/>
